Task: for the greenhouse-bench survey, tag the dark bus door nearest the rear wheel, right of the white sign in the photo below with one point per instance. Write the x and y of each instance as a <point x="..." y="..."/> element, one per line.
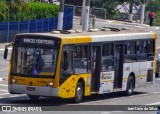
<point x="118" y="53"/>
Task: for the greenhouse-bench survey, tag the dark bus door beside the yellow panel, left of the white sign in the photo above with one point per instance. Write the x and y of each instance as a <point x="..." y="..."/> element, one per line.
<point x="96" y="68"/>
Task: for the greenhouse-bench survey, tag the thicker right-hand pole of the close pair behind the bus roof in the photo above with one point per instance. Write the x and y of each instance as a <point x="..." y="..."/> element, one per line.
<point x="86" y="16"/>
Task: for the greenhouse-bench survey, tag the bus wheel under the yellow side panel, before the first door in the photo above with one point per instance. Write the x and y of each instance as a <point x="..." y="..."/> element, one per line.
<point x="79" y="93"/>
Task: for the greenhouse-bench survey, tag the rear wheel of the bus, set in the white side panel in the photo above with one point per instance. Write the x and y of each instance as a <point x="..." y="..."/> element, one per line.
<point x="130" y="86"/>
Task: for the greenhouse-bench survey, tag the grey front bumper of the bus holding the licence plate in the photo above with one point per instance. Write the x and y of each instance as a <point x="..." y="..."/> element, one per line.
<point x="33" y="90"/>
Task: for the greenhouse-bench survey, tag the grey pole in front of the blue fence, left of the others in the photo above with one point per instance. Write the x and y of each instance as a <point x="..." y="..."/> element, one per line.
<point x="60" y="15"/>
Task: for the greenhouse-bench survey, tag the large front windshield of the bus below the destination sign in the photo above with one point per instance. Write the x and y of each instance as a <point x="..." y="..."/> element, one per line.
<point x="34" y="60"/>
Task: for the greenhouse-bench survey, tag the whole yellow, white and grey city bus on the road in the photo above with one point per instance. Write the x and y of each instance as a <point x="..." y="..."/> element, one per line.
<point x="74" y="65"/>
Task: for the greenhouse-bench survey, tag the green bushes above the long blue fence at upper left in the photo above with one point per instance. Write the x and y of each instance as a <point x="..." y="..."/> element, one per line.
<point x="29" y="11"/>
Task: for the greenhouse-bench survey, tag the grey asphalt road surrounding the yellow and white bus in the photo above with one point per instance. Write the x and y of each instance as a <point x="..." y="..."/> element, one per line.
<point x="149" y="95"/>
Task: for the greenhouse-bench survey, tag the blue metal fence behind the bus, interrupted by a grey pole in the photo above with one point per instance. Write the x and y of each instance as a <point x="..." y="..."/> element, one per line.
<point x="9" y="29"/>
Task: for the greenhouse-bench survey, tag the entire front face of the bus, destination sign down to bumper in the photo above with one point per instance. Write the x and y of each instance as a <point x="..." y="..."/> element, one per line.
<point x="33" y="65"/>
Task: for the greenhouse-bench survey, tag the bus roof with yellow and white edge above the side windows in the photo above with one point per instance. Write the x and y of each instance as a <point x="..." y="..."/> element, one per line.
<point x="99" y="36"/>
